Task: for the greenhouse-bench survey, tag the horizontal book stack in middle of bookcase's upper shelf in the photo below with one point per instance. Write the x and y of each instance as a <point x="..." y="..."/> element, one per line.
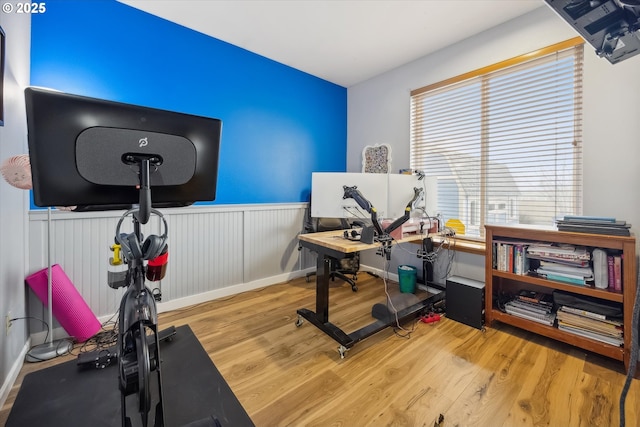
<point x="564" y="263"/>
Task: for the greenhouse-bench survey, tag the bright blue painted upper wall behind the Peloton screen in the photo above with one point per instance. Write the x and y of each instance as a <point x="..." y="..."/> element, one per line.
<point x="279" y="124"/>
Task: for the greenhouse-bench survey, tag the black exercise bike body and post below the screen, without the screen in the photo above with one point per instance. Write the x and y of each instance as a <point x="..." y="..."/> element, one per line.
<point x="138" y="344"/>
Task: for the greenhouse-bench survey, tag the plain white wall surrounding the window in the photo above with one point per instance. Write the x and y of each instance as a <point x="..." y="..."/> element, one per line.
<point x="378" y="112"/>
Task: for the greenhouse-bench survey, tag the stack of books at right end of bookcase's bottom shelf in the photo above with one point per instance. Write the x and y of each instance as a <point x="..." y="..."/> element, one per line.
<point x="590" y="324"/>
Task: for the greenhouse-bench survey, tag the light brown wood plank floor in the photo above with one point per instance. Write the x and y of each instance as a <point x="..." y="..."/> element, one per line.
<point x="293" y="376"/>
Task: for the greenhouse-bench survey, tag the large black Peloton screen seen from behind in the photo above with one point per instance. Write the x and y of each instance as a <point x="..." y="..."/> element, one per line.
<point x="82" y="149"/>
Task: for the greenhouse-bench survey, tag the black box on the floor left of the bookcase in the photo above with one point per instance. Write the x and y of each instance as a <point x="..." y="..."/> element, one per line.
<point x="465" y="301"/>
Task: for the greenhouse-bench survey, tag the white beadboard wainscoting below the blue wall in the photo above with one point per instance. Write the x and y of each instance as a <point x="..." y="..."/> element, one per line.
<point x="213" y="251"/>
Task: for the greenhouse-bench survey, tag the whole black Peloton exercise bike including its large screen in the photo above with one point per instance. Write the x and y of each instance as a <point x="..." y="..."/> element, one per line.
<point x="94" y="154"/>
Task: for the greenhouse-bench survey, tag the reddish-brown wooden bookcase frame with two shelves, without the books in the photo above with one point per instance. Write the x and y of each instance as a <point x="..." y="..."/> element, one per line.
<point x="498" y="282"/>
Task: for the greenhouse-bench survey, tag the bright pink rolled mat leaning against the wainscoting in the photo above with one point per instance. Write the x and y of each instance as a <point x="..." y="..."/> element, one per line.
<point x="69" y="308"/>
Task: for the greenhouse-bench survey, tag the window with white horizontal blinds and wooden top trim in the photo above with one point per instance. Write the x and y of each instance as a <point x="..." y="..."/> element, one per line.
<point x="504" y="141"/>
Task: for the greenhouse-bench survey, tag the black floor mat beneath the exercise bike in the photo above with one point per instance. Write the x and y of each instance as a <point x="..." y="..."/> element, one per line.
<point x="67" y="396"/>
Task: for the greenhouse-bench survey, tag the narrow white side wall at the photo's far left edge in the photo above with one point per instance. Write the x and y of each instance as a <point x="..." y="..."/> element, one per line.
<point x="13" y="202"/>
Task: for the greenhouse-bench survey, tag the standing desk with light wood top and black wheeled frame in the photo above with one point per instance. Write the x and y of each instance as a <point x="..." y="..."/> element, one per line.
<point x="332" y="244"/>
